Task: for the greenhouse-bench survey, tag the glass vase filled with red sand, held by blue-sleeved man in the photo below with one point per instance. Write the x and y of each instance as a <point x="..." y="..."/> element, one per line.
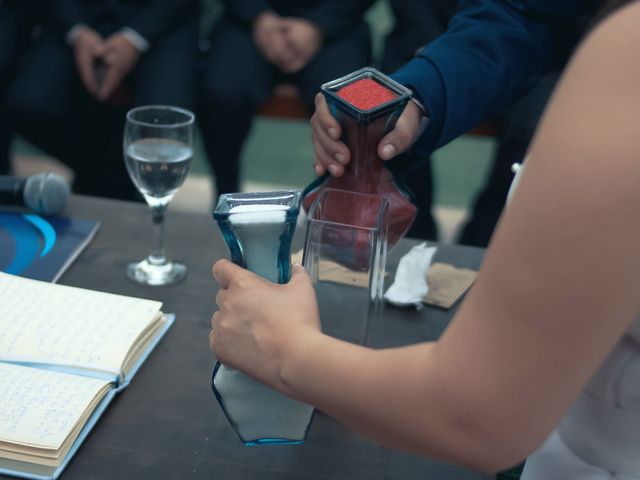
<point x="367" y="105"/>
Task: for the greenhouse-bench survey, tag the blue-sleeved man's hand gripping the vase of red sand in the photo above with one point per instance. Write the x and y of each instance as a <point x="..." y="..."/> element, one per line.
<point x="331" y="154"/>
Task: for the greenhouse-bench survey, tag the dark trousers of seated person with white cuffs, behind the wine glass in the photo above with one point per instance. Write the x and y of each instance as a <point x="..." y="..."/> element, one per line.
<point x="54" y="111"/>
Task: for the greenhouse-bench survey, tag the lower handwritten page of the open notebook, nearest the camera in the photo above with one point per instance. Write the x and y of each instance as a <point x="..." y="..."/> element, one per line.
<point x="41" y="407"/>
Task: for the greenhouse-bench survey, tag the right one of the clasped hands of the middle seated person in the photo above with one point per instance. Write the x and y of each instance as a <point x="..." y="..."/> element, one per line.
<point x="304" y="39"/>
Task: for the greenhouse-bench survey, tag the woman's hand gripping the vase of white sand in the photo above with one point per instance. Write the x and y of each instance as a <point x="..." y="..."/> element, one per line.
<point x="259" y="323"/>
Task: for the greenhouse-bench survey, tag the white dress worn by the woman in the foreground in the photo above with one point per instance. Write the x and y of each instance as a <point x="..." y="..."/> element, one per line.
<point x="599" y="437"/>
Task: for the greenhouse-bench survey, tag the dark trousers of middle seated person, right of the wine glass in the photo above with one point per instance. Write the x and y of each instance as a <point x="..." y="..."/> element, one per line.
<point x="237" y="79"/>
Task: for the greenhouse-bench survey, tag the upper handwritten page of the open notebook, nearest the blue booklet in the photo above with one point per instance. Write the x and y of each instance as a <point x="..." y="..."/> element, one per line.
<point x="54" y="324"/>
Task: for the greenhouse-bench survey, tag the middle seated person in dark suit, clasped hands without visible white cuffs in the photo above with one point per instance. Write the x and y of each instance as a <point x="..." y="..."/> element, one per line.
<point x="258" y="44"/>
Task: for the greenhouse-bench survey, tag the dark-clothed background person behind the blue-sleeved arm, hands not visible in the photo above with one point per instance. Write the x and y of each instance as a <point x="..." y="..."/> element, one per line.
<point x="419" y="22"/>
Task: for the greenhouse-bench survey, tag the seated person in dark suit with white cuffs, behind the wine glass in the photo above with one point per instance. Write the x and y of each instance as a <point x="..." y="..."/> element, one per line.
<point x="95" y="60"/>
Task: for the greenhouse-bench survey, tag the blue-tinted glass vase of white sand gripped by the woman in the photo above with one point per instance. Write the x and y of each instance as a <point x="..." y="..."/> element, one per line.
<point x="258" y="229"/>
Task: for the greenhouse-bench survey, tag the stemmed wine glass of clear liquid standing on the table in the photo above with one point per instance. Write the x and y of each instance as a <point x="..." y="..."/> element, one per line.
<point x="158" y="148"/>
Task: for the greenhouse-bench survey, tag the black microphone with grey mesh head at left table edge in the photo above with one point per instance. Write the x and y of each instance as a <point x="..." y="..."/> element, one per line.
<point x="45" y="193"/>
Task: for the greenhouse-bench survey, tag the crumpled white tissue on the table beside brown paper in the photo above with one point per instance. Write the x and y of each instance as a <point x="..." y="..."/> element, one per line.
<point x="410" y="284"/>
